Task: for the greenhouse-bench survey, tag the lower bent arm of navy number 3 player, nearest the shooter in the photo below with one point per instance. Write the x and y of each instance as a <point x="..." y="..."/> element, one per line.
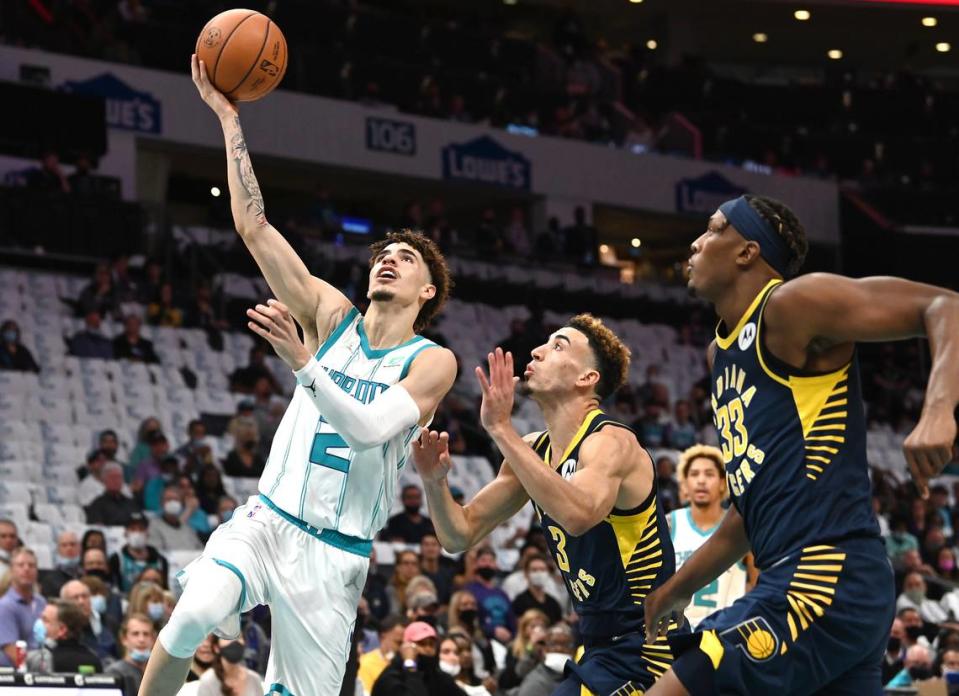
<point x="459" y="527"/>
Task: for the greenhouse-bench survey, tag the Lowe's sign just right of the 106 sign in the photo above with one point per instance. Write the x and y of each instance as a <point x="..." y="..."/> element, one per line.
<point x="483" y="160"/>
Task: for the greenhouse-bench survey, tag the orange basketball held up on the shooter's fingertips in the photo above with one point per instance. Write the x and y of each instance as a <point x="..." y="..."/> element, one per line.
<point x="244" y="53"/>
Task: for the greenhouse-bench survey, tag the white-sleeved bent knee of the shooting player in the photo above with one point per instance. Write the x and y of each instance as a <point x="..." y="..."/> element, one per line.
<point x="212" y="593"/>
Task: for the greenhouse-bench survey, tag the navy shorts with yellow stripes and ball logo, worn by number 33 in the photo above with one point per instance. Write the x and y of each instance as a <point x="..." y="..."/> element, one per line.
<point x="817" y="622"/>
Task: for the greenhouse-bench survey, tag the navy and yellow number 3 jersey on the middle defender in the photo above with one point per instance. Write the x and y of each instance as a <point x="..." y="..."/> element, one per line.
<point x="611" y="568"/>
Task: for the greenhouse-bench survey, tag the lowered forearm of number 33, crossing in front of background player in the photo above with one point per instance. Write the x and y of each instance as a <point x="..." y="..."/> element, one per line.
<point x="726" y="546"/>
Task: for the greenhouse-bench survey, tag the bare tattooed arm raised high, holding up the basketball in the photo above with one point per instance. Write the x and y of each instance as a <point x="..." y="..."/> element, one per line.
<point x="317" y="305"/>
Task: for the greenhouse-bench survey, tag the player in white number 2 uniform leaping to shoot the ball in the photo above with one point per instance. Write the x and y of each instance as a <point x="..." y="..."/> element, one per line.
<point x="365" y="383"/>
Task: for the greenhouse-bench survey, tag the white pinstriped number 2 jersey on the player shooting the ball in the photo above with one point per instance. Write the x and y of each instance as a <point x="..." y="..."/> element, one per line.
<point x="312" y="474"/>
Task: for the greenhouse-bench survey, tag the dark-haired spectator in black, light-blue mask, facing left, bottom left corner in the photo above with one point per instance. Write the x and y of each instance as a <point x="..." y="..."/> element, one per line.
<point x="57" y="632"/>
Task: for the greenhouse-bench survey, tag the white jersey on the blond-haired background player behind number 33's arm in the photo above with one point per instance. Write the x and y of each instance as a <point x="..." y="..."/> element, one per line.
<point x="722" y="591"/>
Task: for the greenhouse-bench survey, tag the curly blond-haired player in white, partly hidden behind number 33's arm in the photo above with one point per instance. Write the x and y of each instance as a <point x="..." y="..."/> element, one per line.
<point x="702" y="477"/>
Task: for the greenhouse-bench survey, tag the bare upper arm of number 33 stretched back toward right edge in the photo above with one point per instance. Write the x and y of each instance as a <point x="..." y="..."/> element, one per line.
<point x="832" y="309"/>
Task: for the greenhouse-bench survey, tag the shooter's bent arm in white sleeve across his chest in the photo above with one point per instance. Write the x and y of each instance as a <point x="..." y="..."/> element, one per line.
<point x="413" y="400"/>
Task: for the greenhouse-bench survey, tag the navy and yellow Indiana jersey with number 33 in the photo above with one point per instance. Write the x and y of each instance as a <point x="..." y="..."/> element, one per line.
<point x="794" y="443"/>
